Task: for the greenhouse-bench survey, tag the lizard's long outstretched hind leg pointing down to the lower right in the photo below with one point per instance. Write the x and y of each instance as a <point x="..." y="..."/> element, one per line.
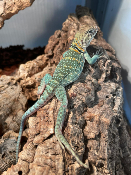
<point x="61" y="96"/>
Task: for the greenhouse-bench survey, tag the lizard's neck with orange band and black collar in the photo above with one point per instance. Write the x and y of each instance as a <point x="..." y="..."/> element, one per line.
<point x="76" y="46"/>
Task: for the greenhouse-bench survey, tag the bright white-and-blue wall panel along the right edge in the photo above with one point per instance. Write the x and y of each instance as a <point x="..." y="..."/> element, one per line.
<point x="117" y="31"/>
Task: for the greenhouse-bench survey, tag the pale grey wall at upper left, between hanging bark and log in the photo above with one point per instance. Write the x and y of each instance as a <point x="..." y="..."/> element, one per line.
<point x="34" y="25"/>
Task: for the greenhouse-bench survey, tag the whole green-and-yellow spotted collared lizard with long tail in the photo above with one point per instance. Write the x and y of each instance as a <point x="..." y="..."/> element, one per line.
<point x="67" y="71"/>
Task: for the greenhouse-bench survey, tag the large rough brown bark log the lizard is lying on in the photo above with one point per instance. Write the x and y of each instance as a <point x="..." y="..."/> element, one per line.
<point x="94" y="124"/>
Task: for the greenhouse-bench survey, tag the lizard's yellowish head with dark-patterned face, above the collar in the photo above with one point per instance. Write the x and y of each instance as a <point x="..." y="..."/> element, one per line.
<point x="85" y="35"/>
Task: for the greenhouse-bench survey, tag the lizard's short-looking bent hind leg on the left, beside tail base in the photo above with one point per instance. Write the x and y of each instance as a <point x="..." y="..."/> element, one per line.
<point x="43" y="83"/>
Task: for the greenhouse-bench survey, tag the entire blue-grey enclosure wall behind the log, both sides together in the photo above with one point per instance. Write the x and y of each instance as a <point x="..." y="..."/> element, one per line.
<point x="33" y="27"/>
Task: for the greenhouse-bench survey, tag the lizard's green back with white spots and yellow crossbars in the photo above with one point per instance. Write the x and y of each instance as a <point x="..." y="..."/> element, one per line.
<point x="71" y="62"/>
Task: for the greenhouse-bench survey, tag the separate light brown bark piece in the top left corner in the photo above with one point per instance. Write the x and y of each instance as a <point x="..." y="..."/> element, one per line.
<point x="8" y="8"/>
